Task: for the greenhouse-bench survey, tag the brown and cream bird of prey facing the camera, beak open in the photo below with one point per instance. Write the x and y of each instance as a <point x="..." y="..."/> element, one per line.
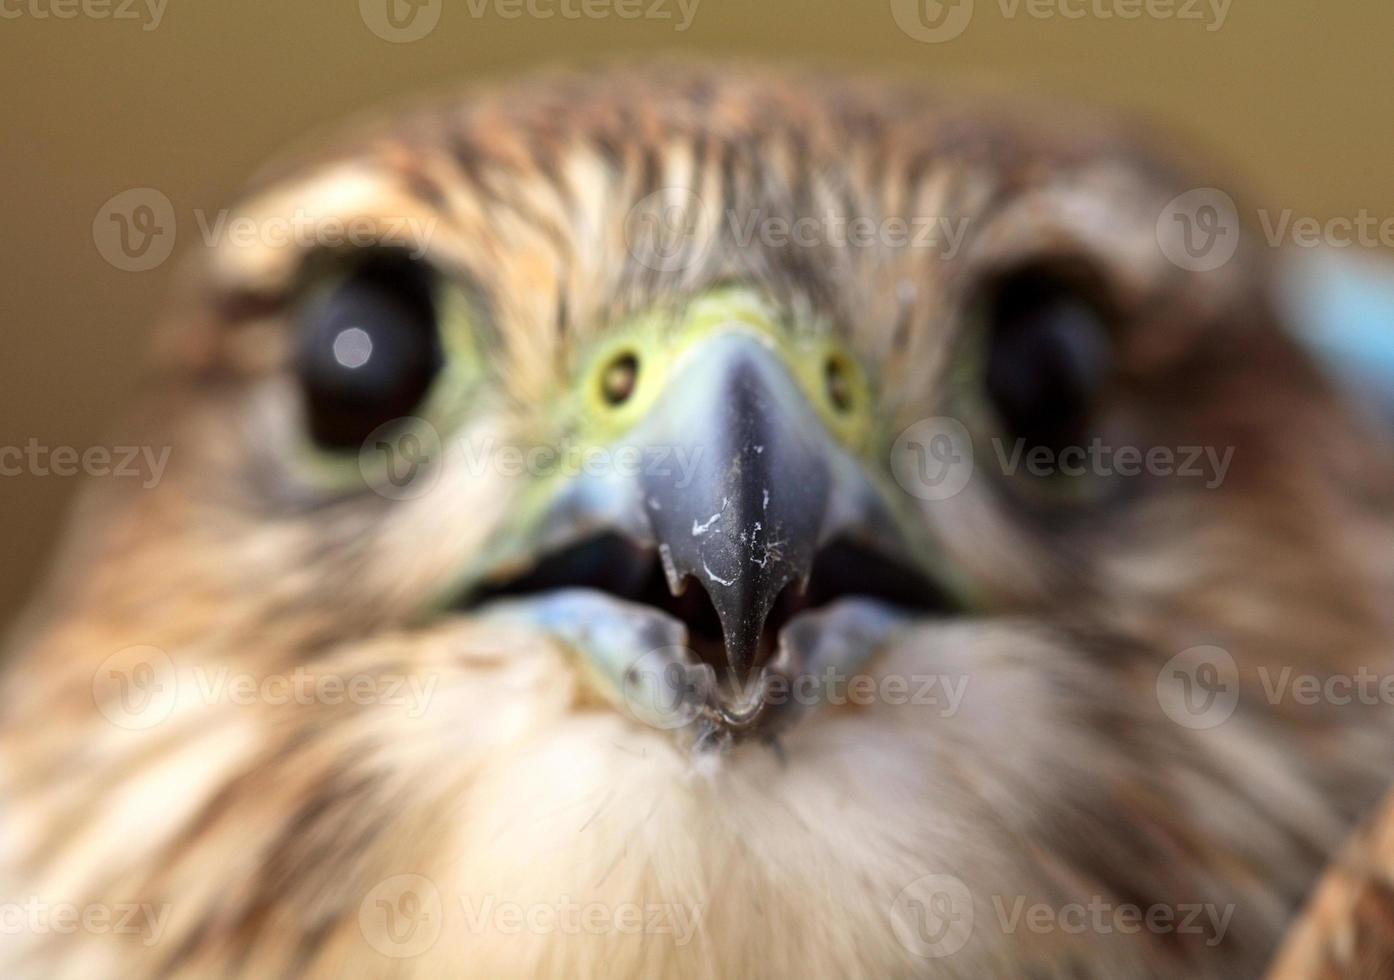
<point x="707" y="521"/>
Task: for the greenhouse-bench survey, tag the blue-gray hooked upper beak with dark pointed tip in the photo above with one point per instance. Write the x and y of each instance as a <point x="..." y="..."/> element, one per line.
<point x="759" y="503"/>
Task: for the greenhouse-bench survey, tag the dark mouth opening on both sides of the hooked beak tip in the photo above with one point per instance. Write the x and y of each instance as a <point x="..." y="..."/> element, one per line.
<point x="632" y="572"/>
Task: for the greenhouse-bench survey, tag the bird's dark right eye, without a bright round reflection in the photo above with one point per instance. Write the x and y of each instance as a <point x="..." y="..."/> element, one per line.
<point x="1049" y="356"/>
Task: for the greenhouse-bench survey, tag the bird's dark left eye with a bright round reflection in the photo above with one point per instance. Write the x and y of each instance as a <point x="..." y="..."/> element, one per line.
<point x="369" y="351"/>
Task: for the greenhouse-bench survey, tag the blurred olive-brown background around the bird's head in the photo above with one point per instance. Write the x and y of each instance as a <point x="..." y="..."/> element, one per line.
<point x="1293" y="94"/>
